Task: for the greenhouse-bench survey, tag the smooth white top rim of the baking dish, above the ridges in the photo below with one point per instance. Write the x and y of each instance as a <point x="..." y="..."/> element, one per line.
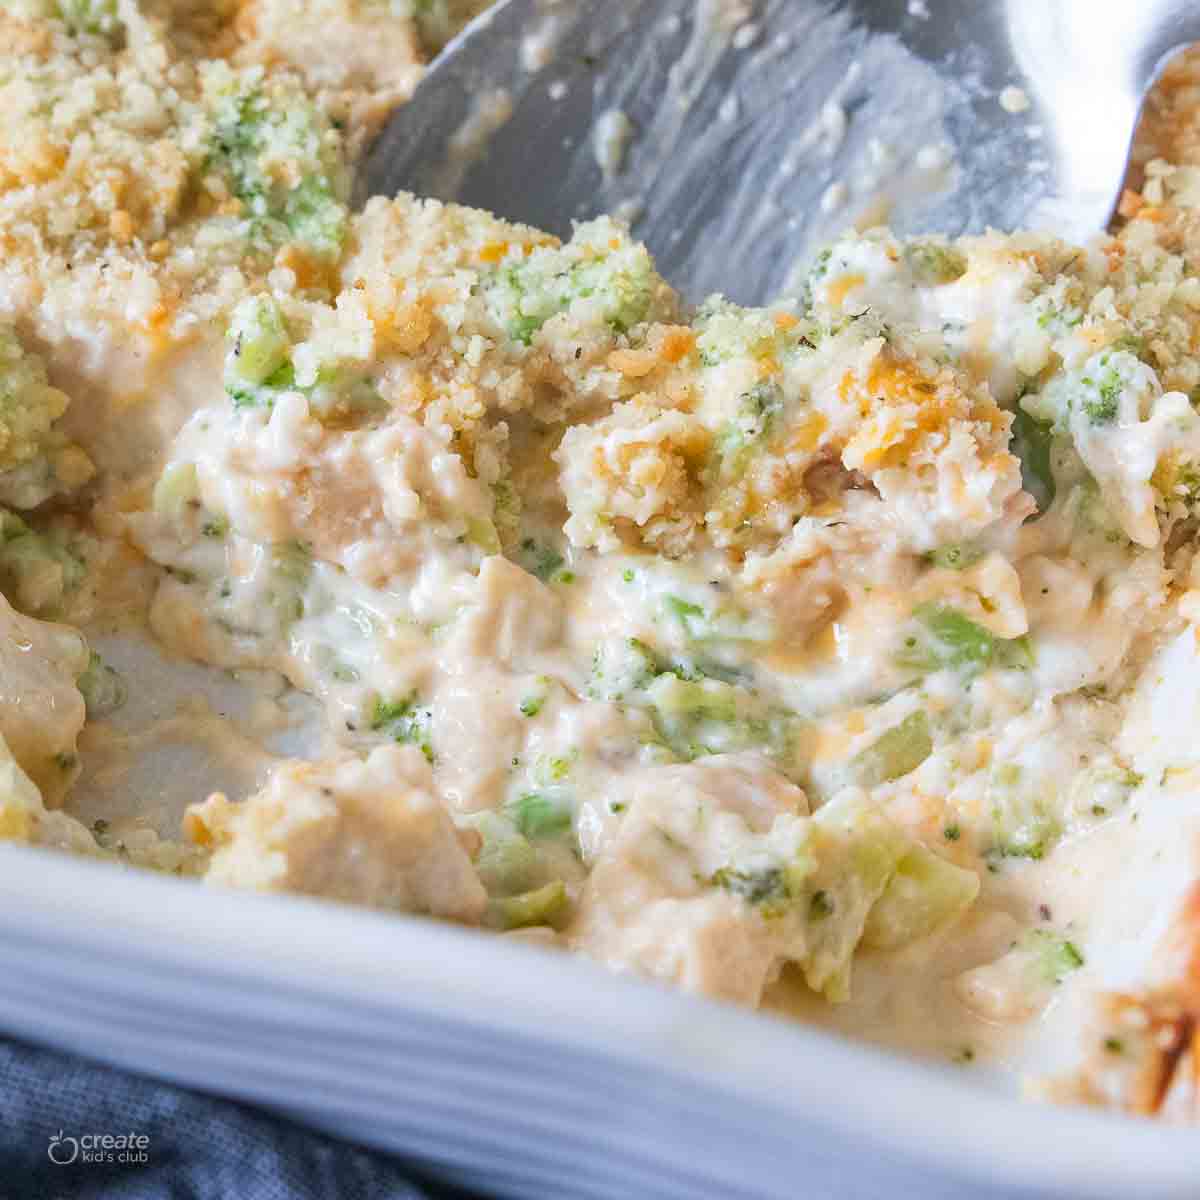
<point x="913" y="1108"/>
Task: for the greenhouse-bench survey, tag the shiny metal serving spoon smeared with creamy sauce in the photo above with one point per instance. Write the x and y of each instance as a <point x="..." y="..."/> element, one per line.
<point x="737" y="135"/>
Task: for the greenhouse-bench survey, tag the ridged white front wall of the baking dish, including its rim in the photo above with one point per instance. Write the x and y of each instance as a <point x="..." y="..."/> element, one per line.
<point x="521" y="1071"/>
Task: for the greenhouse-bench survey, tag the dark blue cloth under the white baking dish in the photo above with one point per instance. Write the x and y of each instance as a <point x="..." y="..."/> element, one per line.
<point x="196" y="1148"/>
